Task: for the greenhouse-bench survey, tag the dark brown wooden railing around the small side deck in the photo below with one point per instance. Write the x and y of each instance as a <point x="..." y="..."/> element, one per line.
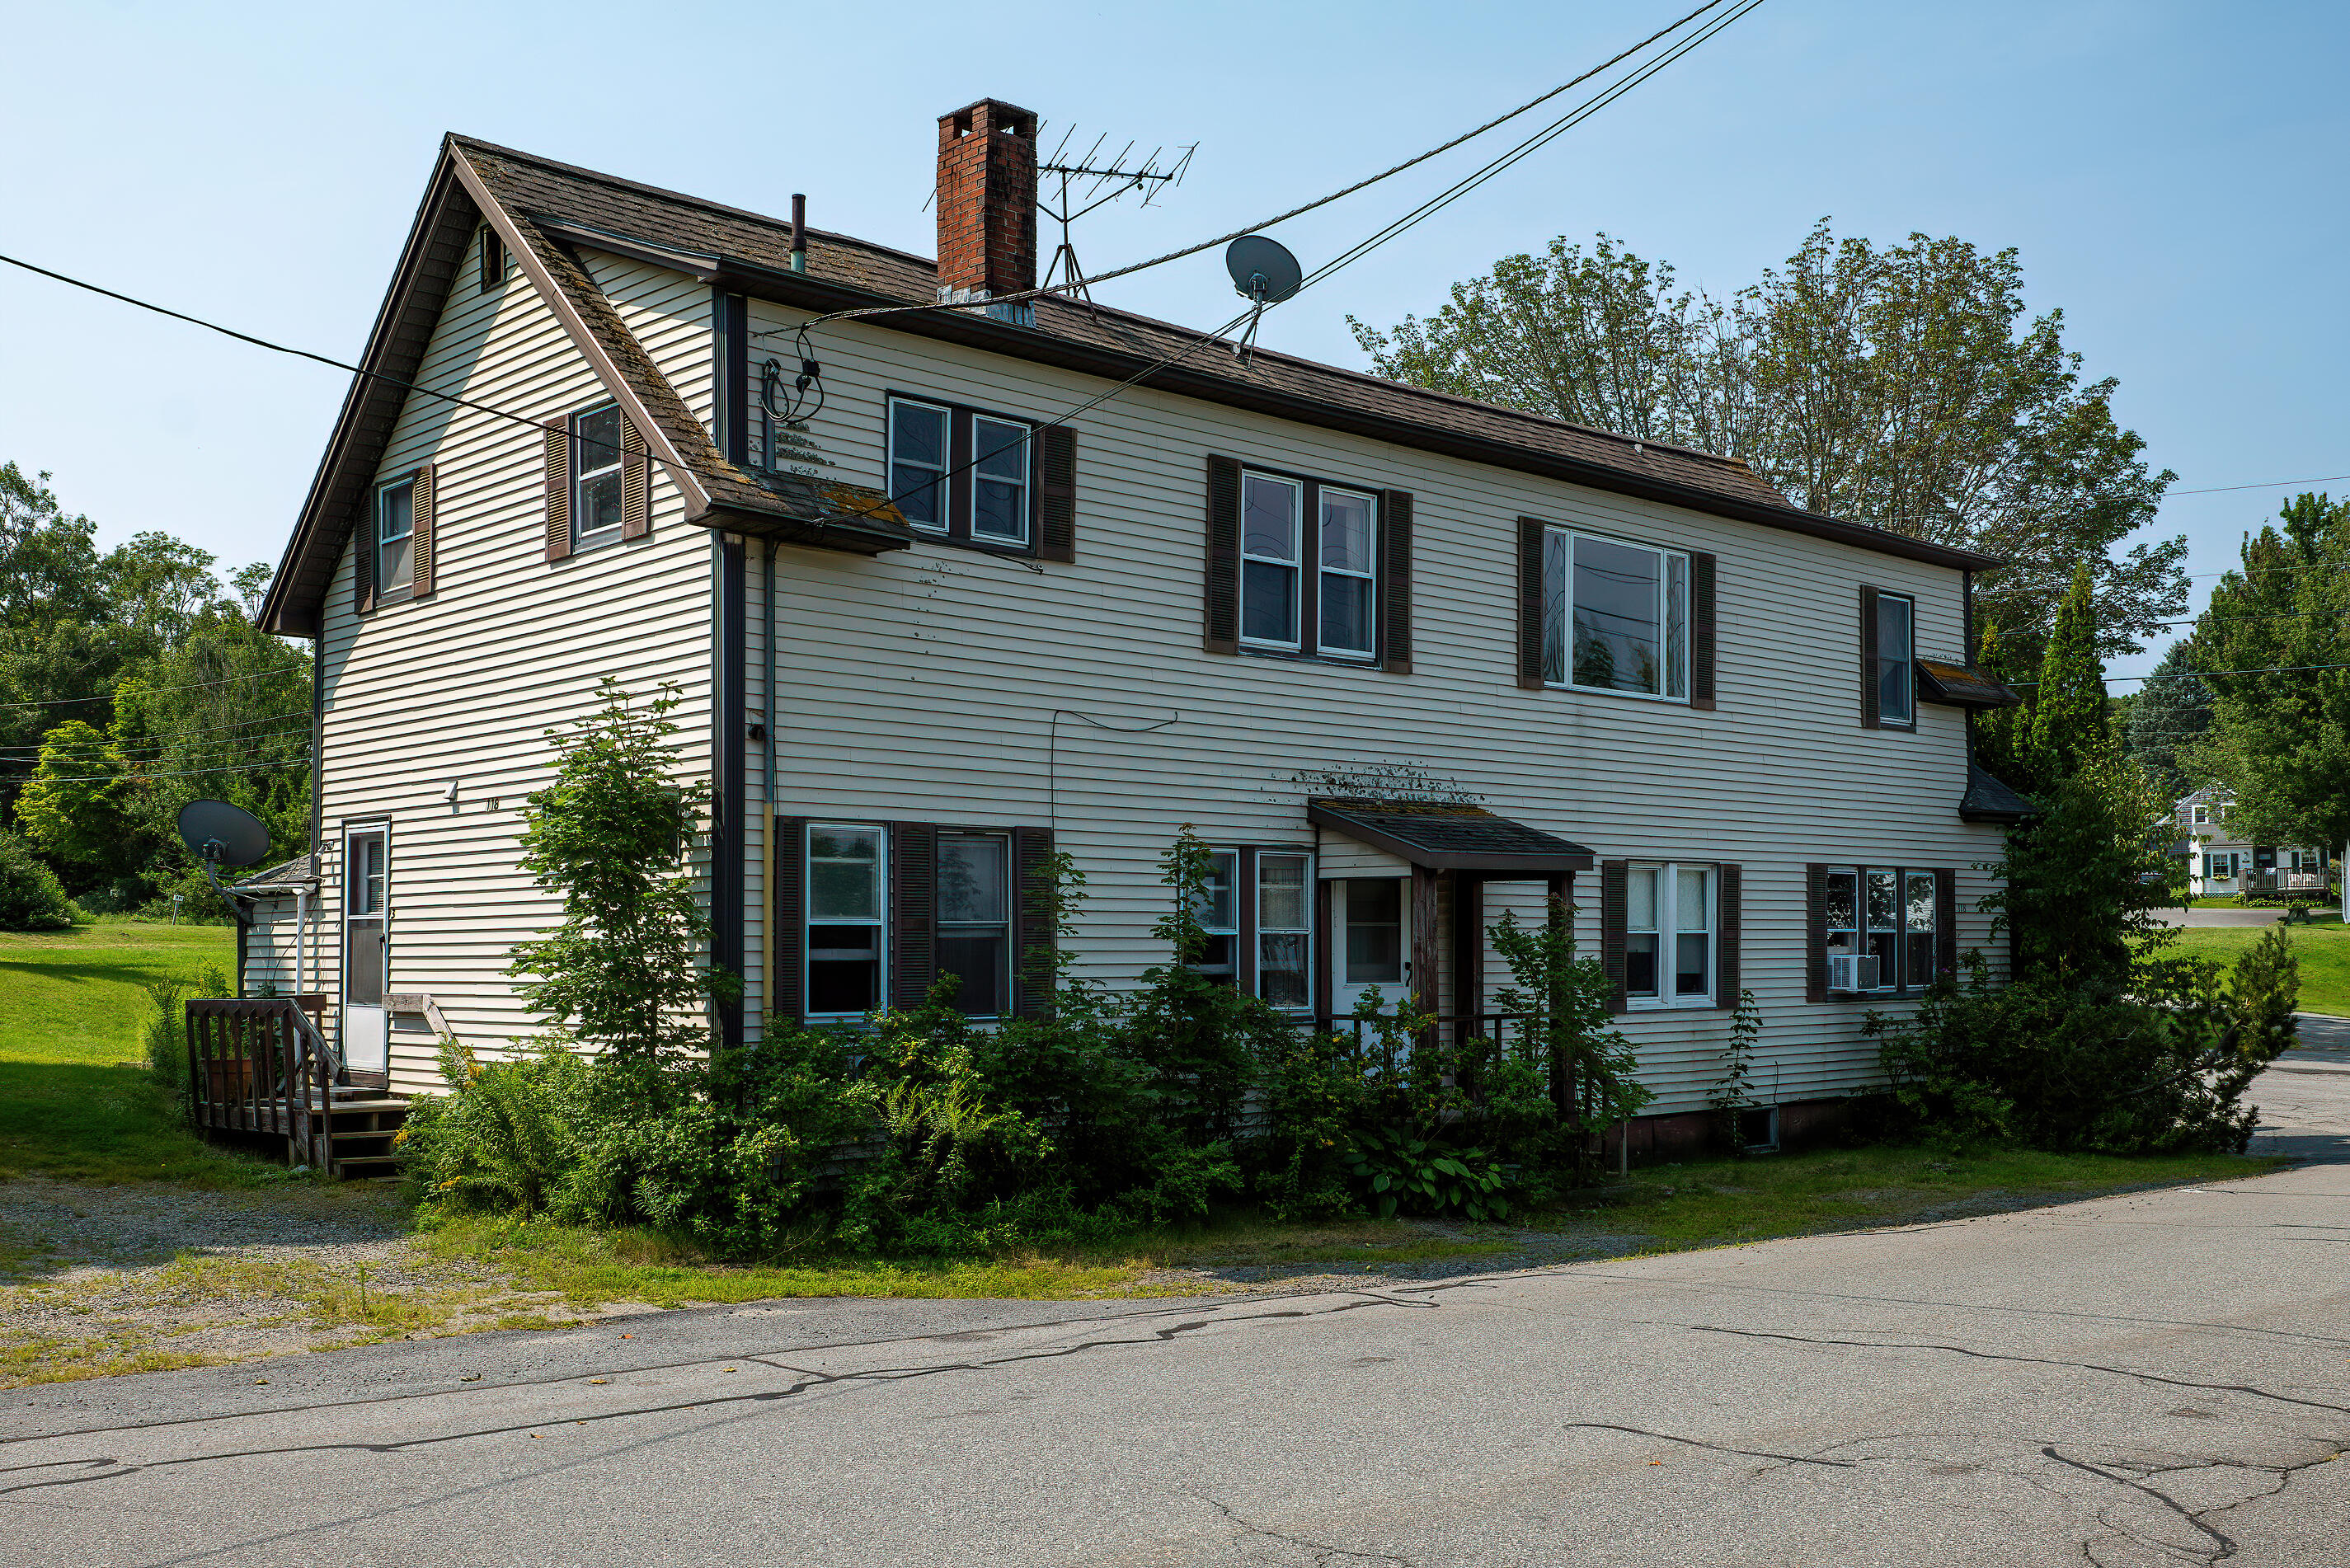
<point x="262" y="1066"/>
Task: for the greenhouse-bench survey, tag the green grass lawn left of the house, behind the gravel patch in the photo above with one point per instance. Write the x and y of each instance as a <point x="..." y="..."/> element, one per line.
<point x="76" y="1099"/>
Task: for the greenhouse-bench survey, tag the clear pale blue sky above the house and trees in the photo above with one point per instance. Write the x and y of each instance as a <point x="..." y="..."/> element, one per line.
<point x="2168" y="173"/>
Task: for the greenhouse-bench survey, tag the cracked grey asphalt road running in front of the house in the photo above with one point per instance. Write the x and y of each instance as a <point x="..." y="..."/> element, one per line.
<point x="2135" y="1381"/>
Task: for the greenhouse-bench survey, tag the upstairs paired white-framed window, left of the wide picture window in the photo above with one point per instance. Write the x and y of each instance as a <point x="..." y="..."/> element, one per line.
<point x="1310" y="568"/>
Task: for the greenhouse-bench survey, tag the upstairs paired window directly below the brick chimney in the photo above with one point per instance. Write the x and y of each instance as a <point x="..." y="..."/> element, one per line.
<point x="962" y="474"/>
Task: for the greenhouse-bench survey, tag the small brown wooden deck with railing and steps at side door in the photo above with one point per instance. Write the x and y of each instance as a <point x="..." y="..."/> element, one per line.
<point x="262" y="1066"/>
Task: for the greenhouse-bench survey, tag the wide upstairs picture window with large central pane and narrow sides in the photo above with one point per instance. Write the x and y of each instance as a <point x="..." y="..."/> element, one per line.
<point x="1616" y="617"/>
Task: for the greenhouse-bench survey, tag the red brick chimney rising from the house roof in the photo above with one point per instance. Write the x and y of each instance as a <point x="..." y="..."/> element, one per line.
<point x="986" y="201"/>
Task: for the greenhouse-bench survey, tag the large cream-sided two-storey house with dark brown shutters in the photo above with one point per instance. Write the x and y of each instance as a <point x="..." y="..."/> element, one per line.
<point x="1404" y="659"/>
